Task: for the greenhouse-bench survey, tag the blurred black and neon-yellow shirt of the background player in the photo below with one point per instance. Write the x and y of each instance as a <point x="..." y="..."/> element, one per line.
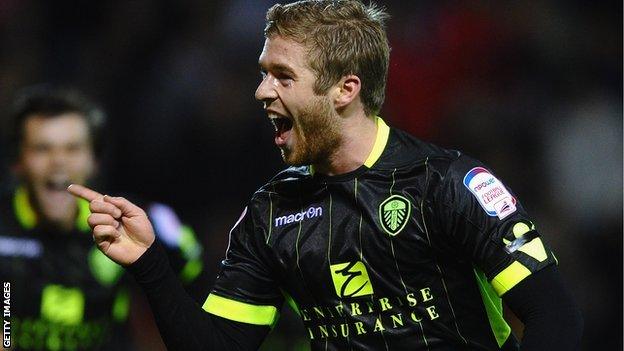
<point x="64" y="293"/>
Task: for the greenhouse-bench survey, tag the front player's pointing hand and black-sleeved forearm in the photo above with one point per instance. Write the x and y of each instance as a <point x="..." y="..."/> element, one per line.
<point x="123" y="232"/>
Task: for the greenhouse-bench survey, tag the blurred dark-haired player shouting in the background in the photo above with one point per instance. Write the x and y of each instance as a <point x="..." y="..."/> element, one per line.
<point x="65" y="294"/>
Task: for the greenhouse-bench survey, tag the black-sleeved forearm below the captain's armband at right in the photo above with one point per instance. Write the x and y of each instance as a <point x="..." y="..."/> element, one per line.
<point x="552" y="321"/>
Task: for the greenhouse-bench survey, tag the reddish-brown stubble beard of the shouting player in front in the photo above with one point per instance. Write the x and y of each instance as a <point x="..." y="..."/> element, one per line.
<point x="317" y="131"/>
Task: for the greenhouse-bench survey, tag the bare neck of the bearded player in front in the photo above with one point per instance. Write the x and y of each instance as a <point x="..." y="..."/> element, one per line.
<point x="358" y="138"/>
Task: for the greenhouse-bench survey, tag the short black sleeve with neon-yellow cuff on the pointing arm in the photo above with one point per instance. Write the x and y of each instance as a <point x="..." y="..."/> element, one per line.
<point x="246" y="290"/>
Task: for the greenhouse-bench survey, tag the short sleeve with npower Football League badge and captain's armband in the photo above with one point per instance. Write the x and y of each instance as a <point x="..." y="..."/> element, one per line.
<point x="488" y="226"/>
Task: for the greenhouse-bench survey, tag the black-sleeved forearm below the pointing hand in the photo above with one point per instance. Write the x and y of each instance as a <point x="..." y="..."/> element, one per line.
<point x="182" y="323"/>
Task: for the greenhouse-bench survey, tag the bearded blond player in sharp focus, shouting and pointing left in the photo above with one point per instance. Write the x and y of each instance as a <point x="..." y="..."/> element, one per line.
<point x="379" y="240"/>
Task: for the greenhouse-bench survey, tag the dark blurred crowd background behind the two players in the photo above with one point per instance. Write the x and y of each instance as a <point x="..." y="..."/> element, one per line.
<point x="531" y="88"/>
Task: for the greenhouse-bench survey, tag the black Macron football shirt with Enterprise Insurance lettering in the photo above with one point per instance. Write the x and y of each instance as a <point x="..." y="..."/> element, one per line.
<point x="411" y="251"/>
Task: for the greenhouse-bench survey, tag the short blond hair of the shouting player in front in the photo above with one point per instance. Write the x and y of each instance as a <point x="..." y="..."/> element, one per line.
<point x="343" y="37"/>
